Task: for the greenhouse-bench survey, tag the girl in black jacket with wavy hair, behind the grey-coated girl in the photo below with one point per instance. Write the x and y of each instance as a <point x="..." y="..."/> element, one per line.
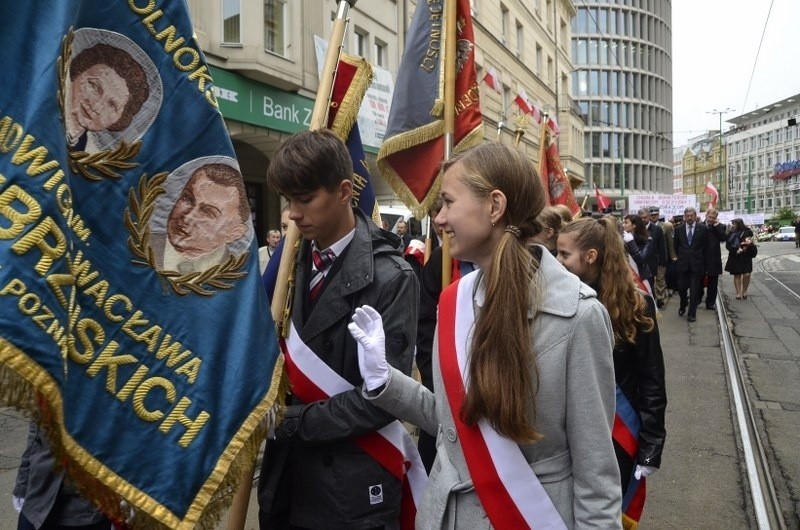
<point x="592" y="250"/>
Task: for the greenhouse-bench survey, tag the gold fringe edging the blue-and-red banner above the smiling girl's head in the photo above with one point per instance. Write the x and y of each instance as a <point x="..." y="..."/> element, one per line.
<point x="413" y="138"/>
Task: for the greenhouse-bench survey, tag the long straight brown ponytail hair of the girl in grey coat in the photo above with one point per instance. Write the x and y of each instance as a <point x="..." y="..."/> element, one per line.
<point x="501" y="389"/>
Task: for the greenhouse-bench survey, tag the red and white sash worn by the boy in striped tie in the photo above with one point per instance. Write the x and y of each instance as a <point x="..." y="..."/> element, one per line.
<point x="392" y="447"/>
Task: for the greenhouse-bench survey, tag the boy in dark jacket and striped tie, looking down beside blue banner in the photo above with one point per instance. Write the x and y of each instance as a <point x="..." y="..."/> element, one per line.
<point x="318" y="471"/>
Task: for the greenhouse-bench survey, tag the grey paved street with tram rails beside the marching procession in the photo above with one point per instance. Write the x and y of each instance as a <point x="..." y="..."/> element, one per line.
<point x="701" y="483"/>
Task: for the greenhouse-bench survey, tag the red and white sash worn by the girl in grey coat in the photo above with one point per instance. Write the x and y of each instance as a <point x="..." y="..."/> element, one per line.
<point x="507" y="487"/>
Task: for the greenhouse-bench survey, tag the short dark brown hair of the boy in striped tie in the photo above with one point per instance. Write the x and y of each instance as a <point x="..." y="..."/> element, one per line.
<point x="307" y="161"/>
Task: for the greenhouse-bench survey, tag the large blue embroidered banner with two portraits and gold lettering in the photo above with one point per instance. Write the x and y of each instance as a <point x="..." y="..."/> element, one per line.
<point x="132" y="320"/>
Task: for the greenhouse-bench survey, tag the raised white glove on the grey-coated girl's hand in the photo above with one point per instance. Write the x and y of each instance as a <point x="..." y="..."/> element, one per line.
<point x="367" y="329"/>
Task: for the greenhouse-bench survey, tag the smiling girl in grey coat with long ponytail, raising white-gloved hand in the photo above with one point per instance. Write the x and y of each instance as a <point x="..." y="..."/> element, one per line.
<point x="540" y="369"/>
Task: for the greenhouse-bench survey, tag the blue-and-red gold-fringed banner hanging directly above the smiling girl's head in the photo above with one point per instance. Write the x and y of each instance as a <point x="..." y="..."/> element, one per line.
<point x="413" y="149"/>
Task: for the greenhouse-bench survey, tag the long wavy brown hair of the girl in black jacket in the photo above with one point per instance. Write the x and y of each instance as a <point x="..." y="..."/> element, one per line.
<point x="616" y="290"/>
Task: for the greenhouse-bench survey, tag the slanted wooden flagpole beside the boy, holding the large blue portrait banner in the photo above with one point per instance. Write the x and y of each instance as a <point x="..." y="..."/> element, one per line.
<point x="282" y="300"/>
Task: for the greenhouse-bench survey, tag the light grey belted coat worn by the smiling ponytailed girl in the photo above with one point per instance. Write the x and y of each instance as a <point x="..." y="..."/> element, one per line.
<point x="575" y="403"/>
